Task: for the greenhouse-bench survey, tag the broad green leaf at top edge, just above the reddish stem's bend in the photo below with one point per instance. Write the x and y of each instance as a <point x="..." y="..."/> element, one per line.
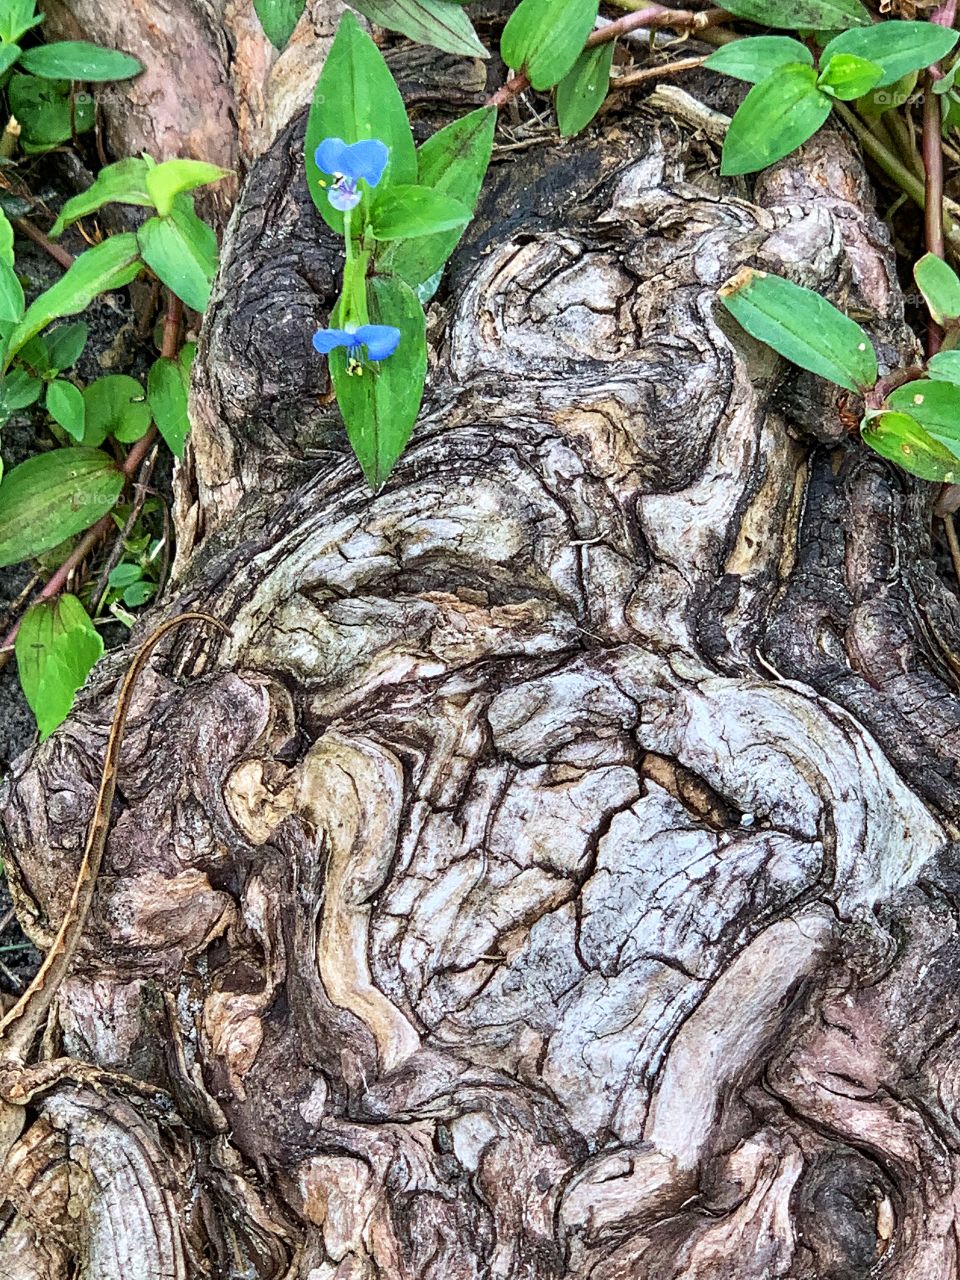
<point x="546" y="38"/>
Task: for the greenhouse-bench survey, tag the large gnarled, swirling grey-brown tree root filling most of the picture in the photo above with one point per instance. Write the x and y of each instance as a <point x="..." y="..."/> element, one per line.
<point x="555" y="874"/>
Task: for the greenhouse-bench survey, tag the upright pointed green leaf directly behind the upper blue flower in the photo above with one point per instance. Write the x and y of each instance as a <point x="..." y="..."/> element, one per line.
<point x="356" y="99"/>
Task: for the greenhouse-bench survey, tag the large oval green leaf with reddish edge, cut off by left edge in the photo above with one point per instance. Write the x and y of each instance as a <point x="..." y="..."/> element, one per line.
<point x="51" y="497"/>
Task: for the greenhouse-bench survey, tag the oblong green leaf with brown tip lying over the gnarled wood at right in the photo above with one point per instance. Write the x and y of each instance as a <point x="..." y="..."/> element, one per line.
<point x="802" y="327"/>
